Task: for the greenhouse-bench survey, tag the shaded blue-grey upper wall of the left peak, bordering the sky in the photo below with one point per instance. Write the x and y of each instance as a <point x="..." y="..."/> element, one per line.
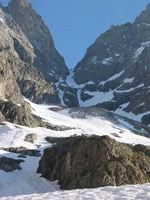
<point x="48" y="60"/>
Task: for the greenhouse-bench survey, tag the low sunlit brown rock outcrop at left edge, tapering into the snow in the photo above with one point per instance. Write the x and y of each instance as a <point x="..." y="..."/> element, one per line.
<point x="21" y="115"/>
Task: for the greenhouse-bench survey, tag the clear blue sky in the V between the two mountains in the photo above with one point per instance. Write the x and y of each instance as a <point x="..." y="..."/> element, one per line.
<point x="75" y="24"/>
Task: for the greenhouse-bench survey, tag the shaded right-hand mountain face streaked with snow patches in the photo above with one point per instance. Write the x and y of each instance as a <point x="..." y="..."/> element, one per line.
<point x="115" y="69"/>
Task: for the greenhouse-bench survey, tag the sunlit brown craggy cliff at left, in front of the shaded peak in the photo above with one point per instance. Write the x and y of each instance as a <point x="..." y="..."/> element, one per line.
<point x="18" y="55"/>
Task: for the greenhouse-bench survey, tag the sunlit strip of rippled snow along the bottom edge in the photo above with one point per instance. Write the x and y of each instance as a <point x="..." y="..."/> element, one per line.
<point x="129" y="192"/>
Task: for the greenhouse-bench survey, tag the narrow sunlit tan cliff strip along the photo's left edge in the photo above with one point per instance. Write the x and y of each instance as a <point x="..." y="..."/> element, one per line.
<point x="8" y="86"/>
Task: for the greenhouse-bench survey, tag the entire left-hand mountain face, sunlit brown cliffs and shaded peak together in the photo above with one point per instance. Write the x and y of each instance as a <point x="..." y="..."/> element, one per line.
<point x="27" y="48"/>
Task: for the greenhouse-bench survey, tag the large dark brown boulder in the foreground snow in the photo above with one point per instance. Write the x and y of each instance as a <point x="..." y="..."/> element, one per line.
<point x="88" y="162"/>
